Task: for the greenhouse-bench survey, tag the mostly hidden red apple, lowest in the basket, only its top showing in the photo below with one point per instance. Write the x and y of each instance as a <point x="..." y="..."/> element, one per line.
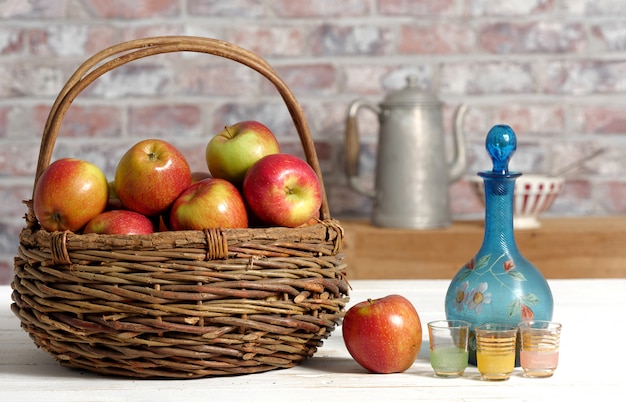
<point x="120" y="221"/>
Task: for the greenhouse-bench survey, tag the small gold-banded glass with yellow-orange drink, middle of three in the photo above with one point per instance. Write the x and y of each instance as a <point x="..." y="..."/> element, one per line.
<point x="495" y="350"/>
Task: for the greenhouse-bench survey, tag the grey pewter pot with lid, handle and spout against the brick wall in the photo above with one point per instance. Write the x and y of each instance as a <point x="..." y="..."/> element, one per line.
<point x="412" y="171"/>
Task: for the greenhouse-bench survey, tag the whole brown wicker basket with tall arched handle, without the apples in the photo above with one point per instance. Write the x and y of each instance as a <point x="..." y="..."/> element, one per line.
<point x="179" y="304"/>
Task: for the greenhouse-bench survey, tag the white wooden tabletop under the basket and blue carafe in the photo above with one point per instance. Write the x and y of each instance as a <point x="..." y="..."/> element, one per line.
<point x="592" y="363"/>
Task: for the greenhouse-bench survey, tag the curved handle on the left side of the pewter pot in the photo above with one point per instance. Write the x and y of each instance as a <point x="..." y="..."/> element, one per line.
<point x="353" y="145"/>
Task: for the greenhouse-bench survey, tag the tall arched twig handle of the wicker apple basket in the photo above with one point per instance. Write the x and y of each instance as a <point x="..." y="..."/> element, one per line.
<point x="125" y="52"/>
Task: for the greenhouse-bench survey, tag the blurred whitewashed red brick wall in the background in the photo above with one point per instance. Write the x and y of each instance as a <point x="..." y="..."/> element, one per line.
<point x="555" y="70"/>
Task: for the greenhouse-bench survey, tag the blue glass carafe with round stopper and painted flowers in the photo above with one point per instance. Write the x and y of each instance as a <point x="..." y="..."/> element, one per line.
<point x="498" y="284"/>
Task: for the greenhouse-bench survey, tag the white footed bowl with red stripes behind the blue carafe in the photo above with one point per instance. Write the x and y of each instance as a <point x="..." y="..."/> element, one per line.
<point x="534" y="195"/>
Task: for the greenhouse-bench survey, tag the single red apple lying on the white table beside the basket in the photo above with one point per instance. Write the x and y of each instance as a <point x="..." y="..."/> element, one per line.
<point x="383" y="335"/>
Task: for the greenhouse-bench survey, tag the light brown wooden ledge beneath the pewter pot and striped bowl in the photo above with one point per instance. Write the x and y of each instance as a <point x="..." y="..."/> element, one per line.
<point x="593" y="247"/>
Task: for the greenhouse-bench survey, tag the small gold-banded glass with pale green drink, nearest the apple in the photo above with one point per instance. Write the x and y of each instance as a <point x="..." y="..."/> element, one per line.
<point x="448" y="347"/>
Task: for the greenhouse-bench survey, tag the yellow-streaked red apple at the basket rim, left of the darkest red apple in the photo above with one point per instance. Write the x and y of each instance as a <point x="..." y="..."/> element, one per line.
<point x="209" y="203"/>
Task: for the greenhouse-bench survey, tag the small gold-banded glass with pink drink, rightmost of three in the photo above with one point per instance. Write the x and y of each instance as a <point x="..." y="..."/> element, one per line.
<point x="539" y="347"/>
